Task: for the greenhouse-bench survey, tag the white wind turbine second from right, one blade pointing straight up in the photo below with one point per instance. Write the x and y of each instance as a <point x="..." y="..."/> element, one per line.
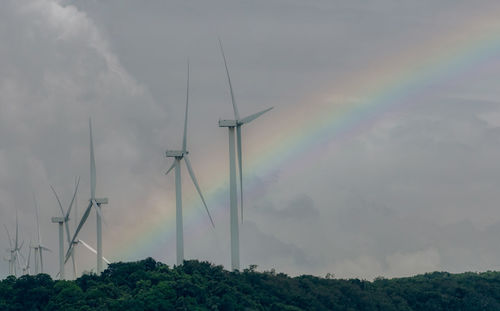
<point x="178" y="155"/>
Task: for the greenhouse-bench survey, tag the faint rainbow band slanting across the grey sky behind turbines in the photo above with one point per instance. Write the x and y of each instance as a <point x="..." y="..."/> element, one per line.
<point x="360" y="101"/>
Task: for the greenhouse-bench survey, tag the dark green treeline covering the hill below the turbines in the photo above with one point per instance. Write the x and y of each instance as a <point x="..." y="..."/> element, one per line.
<point x="151" y="285"/>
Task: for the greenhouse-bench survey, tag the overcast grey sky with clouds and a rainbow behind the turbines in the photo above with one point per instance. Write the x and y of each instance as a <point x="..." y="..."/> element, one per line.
<point x="378" y="159"/>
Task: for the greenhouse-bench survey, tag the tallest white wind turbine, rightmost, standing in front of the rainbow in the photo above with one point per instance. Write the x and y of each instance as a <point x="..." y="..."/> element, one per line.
<point x="233" y="125"/>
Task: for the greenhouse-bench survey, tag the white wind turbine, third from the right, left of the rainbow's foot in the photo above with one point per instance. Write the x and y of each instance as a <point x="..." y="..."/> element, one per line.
<point x="96" y="204"/>
